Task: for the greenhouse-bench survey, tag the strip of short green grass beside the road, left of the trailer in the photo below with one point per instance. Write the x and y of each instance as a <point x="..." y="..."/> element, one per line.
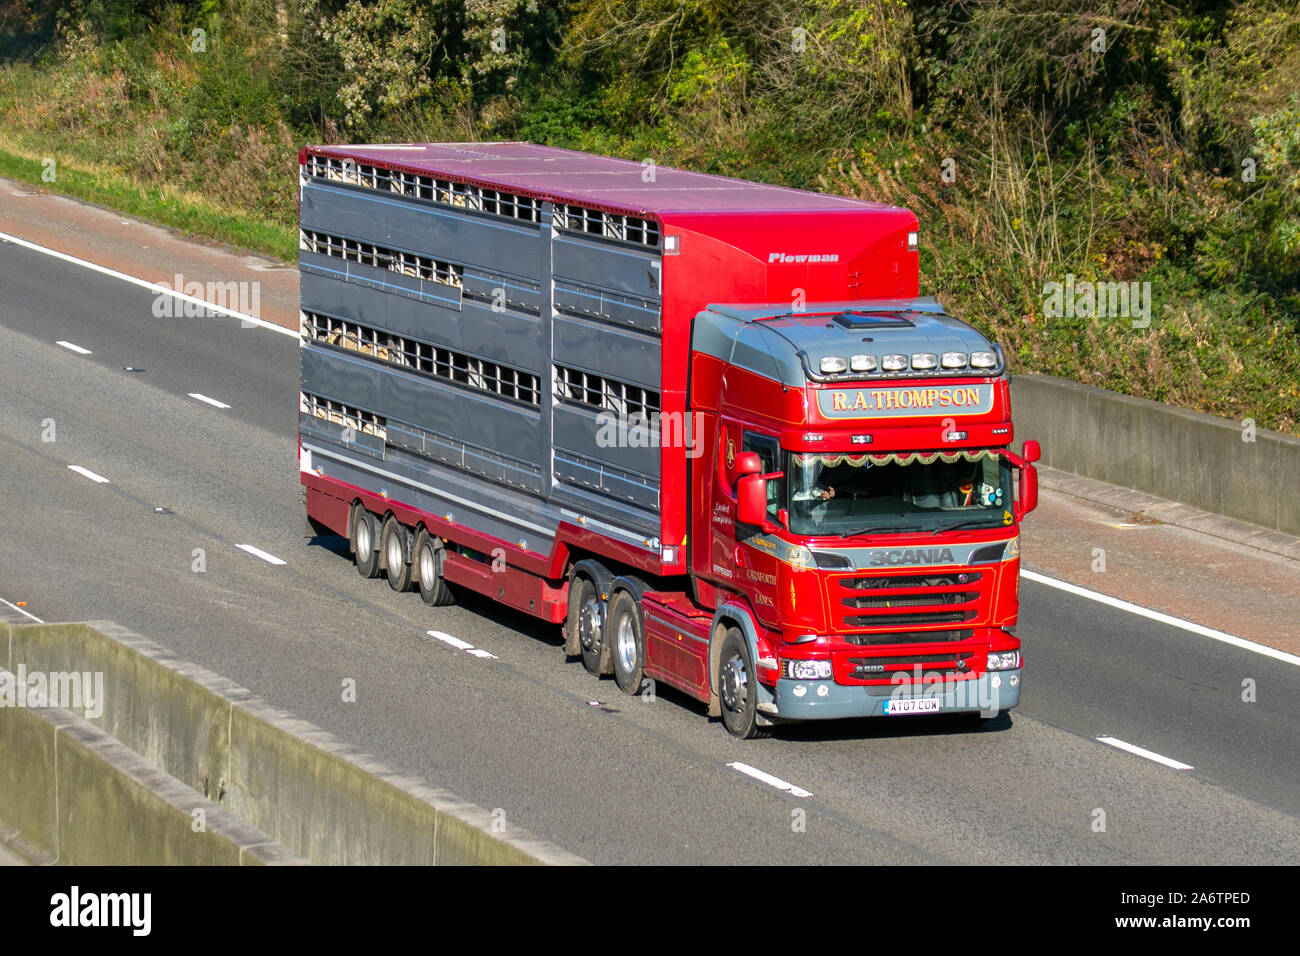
<point x="188" y="215"/>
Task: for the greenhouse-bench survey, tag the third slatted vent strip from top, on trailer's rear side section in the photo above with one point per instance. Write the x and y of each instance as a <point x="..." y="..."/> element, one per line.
<point x="445" y="365"/>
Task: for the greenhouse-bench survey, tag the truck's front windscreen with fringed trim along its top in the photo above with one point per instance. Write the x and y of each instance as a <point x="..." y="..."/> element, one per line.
<point x="851" y="495"/>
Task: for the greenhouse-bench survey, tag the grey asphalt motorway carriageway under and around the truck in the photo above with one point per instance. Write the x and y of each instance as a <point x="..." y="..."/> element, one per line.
<point x="613" y="778"/>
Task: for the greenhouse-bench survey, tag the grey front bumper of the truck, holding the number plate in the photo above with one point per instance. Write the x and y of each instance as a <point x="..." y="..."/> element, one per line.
<point x="989" y="694"/>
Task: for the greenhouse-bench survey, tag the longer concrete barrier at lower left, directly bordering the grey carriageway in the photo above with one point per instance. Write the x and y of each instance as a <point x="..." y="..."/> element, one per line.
<point x="284" y="777"/>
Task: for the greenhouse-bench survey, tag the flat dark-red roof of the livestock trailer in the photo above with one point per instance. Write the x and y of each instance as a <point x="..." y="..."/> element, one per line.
<point x="556" y="175"/>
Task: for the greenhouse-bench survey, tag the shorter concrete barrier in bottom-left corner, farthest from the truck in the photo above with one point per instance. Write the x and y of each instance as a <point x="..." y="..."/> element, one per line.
<point x="75" y="795"/>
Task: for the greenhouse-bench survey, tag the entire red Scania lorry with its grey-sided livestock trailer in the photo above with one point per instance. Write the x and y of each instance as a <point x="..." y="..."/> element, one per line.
<point x="708" y="426"/>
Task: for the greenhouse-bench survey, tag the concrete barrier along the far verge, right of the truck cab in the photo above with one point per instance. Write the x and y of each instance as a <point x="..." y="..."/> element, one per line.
<point x="1199" y="460"/>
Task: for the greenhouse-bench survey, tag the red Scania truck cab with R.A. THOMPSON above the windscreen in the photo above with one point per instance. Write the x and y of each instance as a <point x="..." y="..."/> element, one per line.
<point x="864" y="507"/>
